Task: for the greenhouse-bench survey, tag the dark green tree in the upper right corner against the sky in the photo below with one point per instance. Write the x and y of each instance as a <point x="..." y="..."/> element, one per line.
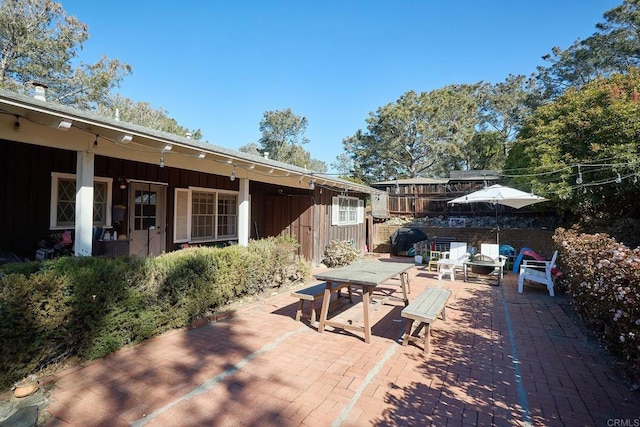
<point x="613" y="48"/>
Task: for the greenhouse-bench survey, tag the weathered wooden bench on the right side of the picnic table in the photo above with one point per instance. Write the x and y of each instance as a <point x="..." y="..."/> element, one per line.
<point x="425" y="309"/>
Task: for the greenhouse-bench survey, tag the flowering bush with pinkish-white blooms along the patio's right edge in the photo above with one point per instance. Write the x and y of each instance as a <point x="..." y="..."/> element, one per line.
<point x="602" y="279"/>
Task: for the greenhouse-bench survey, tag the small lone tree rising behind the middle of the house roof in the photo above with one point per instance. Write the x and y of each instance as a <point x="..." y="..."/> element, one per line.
<point x="282" y="138"/>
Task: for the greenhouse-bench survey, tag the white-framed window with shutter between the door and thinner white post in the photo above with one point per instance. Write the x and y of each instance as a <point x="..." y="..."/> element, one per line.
<point x="203" y="215"/>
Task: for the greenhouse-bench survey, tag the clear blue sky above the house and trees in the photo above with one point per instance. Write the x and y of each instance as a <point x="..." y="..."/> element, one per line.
<point x="219" y="65"/>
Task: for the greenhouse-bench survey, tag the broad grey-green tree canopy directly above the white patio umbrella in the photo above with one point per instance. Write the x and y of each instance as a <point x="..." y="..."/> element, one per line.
<point x="428" y="134"/>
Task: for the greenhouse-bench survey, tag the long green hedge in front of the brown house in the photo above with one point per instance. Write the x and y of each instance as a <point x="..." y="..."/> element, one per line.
<point x="89" y="307"/>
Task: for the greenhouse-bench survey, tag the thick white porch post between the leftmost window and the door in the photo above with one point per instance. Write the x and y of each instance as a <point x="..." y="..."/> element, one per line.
<point x="84" y="203"/>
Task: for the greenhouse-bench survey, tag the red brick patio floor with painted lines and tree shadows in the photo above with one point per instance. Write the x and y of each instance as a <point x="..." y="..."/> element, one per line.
<point x="501" y="358"/>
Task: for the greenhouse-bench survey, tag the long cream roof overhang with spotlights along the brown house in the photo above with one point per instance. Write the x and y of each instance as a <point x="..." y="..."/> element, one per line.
<point x="128" y="140"/>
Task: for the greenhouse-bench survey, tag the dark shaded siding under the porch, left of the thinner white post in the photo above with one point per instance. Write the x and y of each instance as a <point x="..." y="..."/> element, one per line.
<point x="25" y="190"/>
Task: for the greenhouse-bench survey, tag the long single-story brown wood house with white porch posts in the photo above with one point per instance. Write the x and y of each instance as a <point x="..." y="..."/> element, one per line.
<point x="97" y="177"/>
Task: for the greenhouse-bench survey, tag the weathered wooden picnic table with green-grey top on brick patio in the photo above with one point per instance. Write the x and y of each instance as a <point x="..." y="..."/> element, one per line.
<point x="367" y="274"/>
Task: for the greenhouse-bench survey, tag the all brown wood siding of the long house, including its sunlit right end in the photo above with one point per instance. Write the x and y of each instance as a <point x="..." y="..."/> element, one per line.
<point x="25" y="195"/>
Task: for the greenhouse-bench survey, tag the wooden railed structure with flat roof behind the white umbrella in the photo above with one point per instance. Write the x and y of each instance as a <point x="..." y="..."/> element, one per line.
<point x="419" y="197"/>
